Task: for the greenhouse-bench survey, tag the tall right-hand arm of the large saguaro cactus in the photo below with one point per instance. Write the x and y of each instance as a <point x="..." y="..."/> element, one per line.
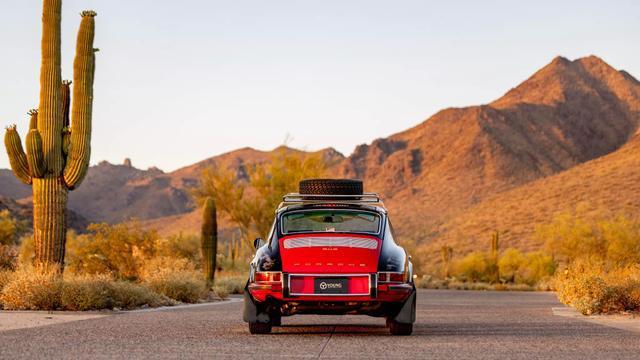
<point x="83" y="72"/>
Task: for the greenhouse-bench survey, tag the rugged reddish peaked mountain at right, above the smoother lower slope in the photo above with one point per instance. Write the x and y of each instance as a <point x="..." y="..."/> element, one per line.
<point x="567" y="113"/>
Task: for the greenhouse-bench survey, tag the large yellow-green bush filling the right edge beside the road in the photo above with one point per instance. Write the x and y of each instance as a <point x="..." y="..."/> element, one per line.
<point x="601" y="258"/>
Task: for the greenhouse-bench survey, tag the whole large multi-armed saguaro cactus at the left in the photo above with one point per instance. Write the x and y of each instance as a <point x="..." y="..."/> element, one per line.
<point x="58" y="151"/>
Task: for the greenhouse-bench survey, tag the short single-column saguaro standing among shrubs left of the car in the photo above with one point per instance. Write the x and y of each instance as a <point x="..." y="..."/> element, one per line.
<point x="209" y="240"/>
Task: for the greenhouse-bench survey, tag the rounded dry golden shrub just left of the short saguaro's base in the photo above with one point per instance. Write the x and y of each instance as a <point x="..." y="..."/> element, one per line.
<point x="174" y="278"/>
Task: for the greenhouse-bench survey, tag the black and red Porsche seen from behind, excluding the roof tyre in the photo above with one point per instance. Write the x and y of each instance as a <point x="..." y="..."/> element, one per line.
<point x="329" y="257"/>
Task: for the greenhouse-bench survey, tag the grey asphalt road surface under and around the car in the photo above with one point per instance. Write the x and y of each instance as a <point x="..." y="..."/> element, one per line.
<point x="451" y="325"/>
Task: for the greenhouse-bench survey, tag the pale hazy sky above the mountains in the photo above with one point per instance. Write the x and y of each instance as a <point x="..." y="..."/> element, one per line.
<point x="180" y="81"/>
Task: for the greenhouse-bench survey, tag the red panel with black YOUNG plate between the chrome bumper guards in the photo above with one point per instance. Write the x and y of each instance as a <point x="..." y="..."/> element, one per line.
<point x="329" y="285"/>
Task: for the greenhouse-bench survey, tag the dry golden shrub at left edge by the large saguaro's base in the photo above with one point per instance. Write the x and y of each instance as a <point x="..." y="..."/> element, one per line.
<point x="32" y="289"/>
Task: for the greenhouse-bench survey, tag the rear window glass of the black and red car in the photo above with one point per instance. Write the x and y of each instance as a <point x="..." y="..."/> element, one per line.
<point x="331" y="221"/>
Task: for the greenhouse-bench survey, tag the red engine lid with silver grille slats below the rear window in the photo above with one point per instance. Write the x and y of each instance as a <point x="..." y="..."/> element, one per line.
<point x="329" y="253"/>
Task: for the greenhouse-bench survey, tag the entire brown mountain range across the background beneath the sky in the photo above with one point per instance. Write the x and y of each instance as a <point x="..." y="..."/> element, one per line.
<point x="451" y="178"/>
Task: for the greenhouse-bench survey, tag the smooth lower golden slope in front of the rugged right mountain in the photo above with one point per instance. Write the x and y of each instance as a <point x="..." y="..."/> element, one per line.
<point x="609" y="185"/>
